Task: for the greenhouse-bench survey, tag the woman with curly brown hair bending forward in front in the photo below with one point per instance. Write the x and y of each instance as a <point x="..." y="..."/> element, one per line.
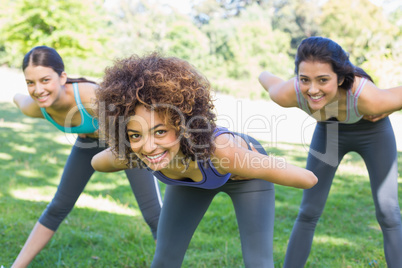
<point x="158" y="113"/>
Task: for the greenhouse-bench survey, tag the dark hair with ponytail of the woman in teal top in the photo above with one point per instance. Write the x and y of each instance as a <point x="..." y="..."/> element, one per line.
<point x="48" y="57"/>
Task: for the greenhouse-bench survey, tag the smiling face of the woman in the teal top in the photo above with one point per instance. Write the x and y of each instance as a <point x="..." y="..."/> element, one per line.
<point x="44" y="84"/>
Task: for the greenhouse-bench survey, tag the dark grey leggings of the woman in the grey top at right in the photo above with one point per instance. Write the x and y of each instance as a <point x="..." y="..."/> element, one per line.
<point x="375" y="142"/>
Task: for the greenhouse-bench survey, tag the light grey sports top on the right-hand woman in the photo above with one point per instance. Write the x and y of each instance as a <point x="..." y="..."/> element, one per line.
<point x="352" y="113"/>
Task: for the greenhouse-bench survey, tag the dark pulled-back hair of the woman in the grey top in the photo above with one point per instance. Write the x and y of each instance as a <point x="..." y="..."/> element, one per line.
<point x="325" y="50"/>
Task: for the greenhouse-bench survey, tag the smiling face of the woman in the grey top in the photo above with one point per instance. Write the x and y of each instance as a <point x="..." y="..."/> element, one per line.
<point x="318" y="83"/>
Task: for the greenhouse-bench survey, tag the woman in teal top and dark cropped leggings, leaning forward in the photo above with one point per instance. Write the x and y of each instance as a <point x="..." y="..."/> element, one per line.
<point x="67" y="104"/>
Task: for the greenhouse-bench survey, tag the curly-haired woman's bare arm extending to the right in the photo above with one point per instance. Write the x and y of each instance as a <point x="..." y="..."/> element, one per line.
<point x="234" y="158"/>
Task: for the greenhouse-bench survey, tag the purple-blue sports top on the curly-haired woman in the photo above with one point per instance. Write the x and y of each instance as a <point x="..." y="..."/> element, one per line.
<point x="211" y="178"/>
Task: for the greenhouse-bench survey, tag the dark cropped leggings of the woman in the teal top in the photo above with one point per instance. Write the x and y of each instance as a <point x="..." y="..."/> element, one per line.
<point x="76" y="174"/>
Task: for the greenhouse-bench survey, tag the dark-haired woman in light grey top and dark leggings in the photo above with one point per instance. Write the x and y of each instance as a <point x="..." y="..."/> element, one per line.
<point x="340" y="96"/>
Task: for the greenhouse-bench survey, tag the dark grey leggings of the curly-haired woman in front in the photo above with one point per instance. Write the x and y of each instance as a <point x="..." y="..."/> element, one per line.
<point x="184" y="207"/>
